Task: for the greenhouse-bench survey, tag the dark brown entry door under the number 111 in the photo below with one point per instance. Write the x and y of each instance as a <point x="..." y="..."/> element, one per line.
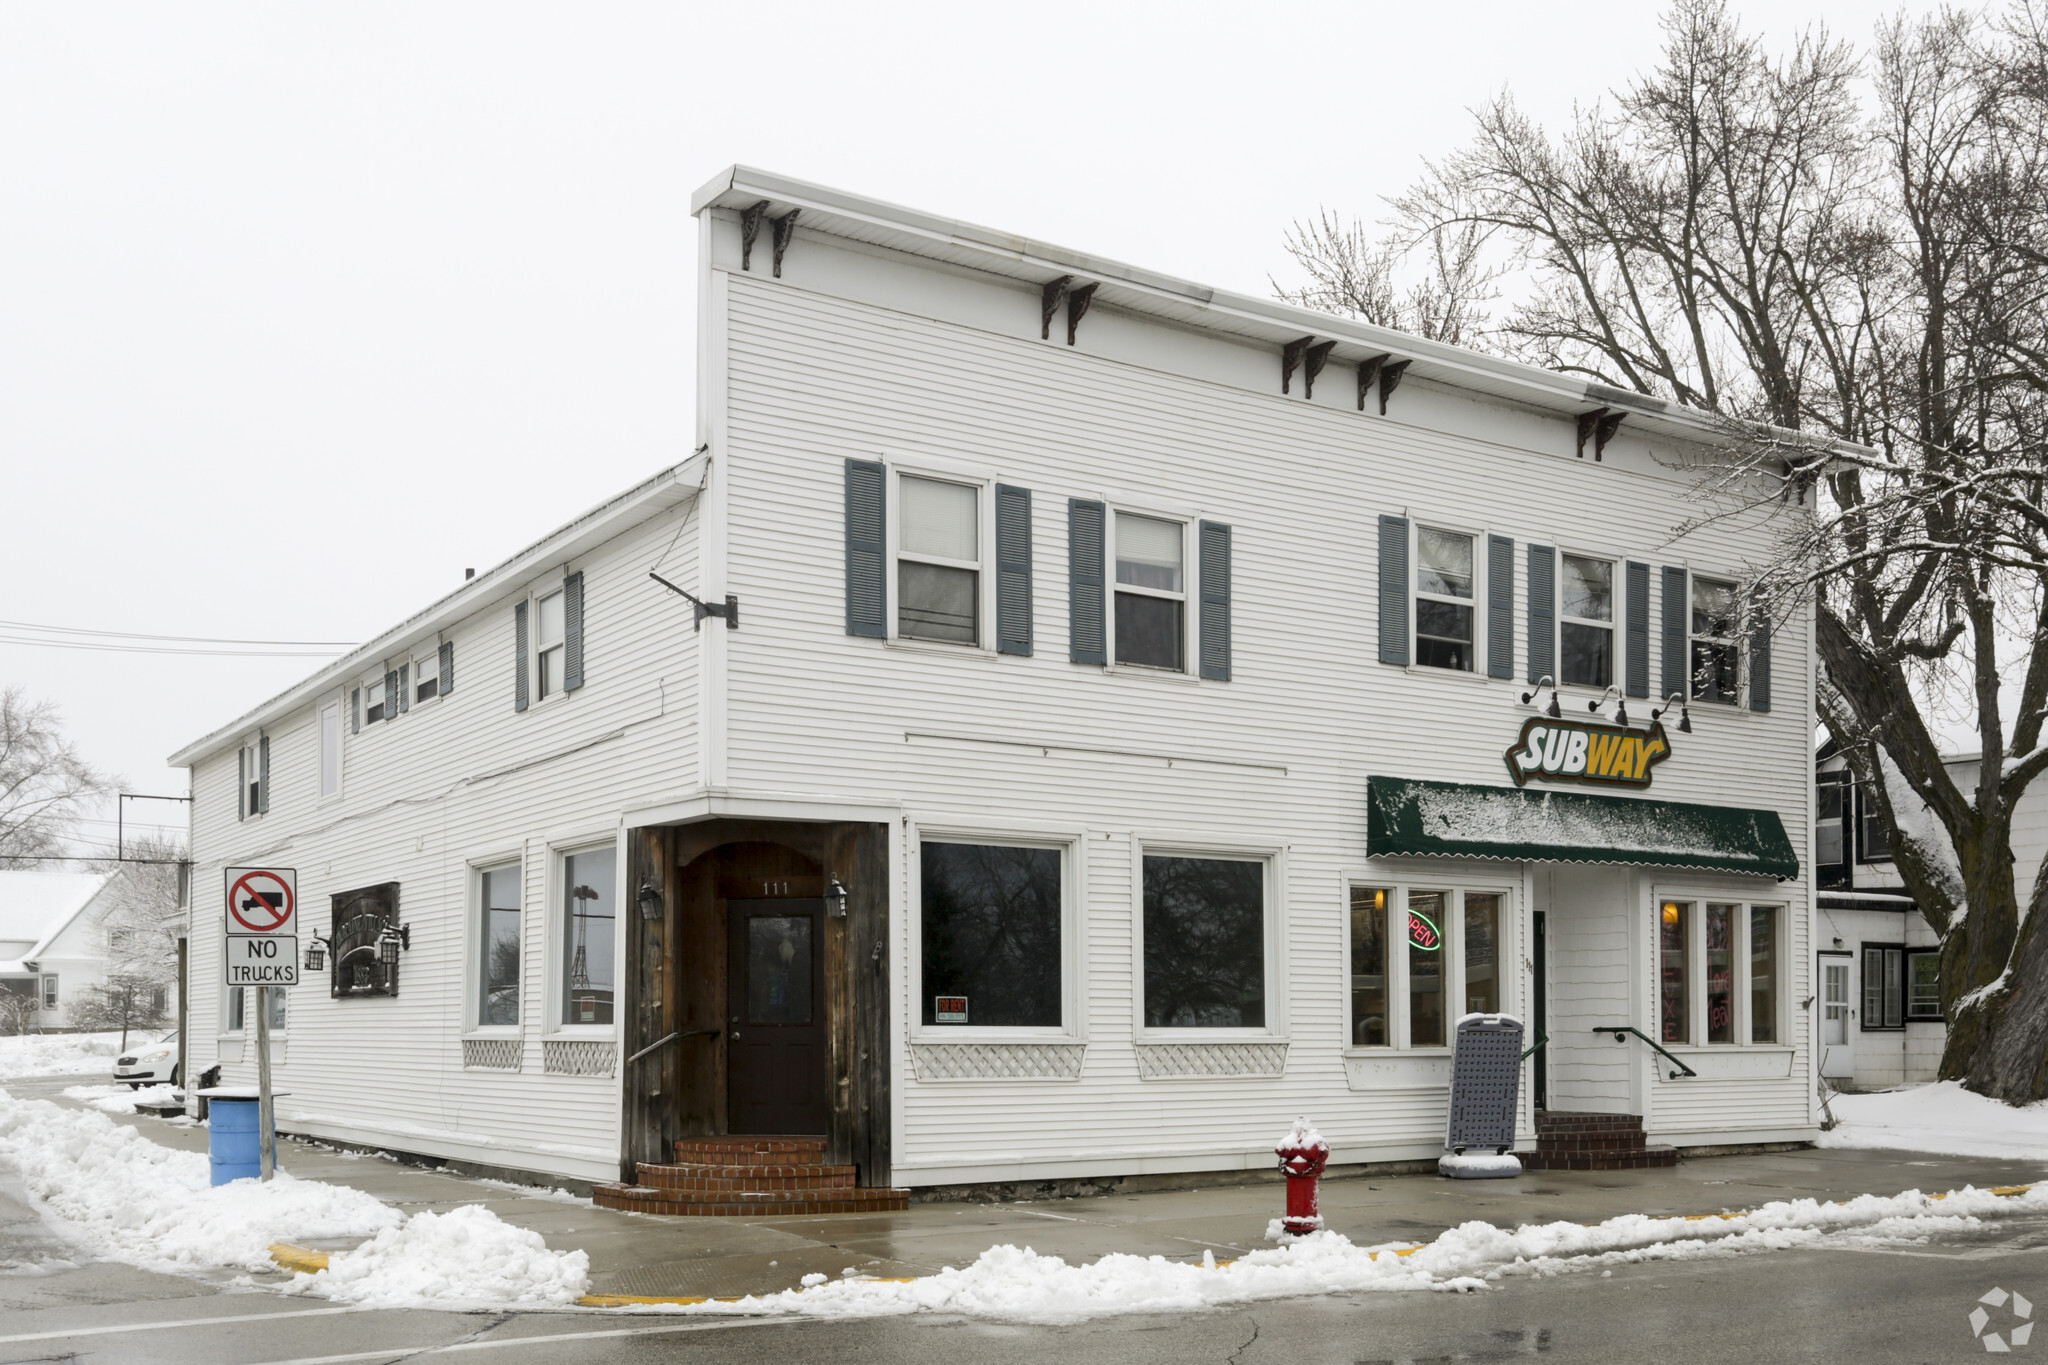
<point x="775" y="1034"/>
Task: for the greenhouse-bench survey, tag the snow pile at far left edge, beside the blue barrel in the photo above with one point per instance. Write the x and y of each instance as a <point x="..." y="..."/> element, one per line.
<point x="132" y="1200"/>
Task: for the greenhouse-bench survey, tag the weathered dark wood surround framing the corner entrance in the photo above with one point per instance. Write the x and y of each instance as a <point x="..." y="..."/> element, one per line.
<point x="857" y="992"/>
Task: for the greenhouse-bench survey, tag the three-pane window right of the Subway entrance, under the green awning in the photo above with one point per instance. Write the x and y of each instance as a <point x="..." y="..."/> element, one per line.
<point x="1717" y="971"/>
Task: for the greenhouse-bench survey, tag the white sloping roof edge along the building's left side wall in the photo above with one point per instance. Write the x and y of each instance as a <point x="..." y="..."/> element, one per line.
<point x="671" y="488"/>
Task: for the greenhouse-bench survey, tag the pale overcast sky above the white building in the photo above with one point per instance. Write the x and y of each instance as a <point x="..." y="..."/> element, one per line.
<point x="308" y="308"/>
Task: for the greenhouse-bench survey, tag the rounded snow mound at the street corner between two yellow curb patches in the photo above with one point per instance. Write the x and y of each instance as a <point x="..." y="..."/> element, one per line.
<point x="462" y="1258"/>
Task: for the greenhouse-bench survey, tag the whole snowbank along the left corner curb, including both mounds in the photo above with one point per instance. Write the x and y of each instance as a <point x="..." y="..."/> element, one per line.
<point x="126" y="1198"/>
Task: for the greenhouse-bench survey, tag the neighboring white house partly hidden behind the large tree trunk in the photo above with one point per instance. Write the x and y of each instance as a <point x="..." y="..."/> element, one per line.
<point x="1879" y="961"/>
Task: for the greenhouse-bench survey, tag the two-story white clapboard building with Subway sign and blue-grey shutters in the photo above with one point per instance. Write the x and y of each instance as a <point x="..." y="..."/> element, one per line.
<point x="1060" y="725"/>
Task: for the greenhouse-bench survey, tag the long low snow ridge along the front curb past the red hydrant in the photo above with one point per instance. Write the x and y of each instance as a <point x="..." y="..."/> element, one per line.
<point x="1017" y="1284"/>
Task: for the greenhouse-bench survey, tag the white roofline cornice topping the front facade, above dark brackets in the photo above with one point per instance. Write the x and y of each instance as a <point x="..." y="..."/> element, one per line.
<point x="1189" y="304"/>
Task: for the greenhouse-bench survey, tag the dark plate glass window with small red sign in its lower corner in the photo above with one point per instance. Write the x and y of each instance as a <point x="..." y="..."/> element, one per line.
<point x="990" y="934"/>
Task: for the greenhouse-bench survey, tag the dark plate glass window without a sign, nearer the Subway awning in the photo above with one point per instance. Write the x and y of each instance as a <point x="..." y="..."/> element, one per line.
<point x="1205" y="942"/>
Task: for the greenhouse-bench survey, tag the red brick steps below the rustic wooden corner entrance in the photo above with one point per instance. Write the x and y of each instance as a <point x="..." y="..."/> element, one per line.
<point x="738" y="1178"/>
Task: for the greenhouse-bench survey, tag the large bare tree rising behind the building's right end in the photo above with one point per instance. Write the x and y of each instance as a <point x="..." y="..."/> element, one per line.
<point x="1863" y="294"/>
